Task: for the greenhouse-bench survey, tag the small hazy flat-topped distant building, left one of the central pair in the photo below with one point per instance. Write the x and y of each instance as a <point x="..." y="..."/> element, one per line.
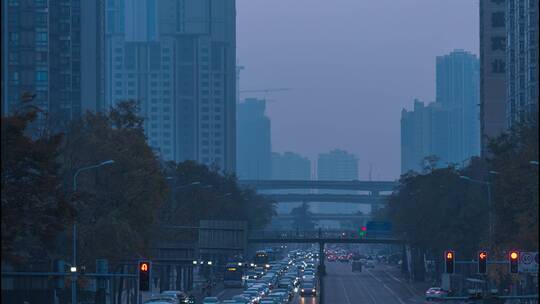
<point x="290" y="166"/>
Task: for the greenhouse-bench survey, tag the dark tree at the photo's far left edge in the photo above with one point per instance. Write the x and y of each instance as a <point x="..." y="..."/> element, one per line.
<point x="34" y="207"/>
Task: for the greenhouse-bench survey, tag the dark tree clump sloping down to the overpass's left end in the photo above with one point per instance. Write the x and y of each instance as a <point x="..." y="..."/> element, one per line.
<point x="203" y="193"/>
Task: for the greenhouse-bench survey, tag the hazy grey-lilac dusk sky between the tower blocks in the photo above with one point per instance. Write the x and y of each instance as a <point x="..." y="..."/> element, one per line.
<point x="352" y="66"/>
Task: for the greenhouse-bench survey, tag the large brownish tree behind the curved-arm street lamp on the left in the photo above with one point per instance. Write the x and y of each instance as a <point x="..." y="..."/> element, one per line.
<point x="116" y="205"/>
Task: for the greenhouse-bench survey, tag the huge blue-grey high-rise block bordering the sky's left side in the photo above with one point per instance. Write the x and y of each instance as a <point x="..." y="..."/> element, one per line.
<point x="177" y="59"/>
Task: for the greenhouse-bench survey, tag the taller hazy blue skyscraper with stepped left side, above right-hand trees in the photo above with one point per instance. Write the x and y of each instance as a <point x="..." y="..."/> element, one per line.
<point x="458" y="92"/>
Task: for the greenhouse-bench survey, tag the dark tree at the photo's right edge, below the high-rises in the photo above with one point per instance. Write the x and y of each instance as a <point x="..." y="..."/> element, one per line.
<point x="516" y="187"/>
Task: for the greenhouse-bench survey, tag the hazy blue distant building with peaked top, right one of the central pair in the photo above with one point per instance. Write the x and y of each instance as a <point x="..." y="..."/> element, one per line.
<point x="337" y="165"/>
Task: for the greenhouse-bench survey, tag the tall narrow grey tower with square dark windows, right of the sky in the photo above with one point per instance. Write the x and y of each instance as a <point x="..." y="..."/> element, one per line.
<point x="492" y="70"/>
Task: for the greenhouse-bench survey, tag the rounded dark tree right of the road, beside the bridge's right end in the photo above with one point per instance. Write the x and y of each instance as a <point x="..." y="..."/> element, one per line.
<point x="437" y="211"/>
